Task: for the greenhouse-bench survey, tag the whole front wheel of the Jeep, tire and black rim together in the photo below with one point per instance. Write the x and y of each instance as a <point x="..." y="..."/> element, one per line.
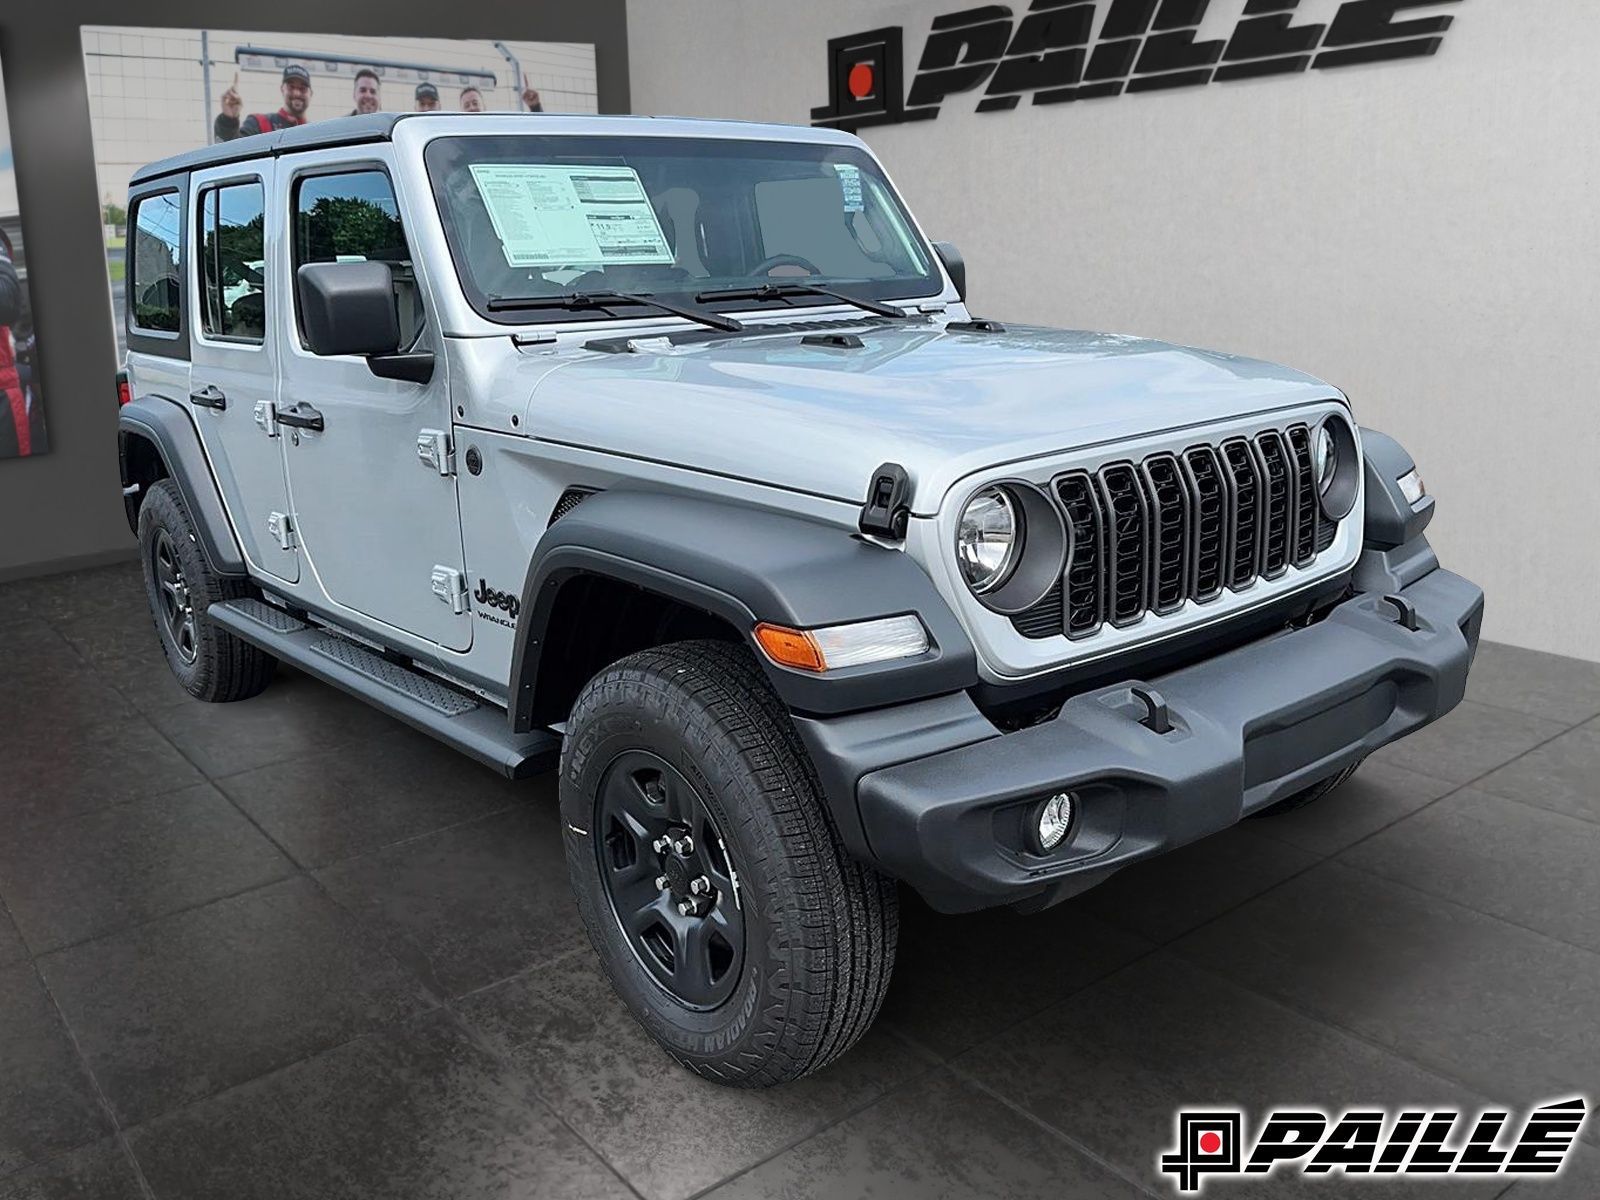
<point x="713" y="884"/>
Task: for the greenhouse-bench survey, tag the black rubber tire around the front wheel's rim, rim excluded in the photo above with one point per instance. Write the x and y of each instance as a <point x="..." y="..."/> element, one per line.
<point x="820" y="927"/>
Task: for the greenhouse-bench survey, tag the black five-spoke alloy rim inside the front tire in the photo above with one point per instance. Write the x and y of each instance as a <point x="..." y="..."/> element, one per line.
<point x="670" y="879"/>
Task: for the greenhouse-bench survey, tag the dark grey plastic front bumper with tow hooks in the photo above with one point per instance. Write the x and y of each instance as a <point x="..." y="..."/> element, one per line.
<point x="1249" y="727"/>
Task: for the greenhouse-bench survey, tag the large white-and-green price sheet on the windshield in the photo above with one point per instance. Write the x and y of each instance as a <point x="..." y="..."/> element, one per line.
<point x="558" y="217"/>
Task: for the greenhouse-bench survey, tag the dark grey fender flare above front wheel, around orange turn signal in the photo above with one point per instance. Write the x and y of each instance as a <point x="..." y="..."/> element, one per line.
<point x="746" y="566"/>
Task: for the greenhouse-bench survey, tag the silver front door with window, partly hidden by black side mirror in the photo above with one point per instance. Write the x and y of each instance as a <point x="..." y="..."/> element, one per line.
<point x="378" y="526"/>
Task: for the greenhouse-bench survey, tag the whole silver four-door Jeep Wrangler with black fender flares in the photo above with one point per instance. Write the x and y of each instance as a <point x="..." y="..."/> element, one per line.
<point x="670" y="452"/>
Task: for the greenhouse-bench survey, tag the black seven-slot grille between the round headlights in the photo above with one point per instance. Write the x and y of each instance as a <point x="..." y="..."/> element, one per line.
<point x="1151" y="537"/>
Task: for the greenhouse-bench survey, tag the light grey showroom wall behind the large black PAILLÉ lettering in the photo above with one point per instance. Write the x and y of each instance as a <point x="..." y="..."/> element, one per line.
<point x="1418" y="234"/>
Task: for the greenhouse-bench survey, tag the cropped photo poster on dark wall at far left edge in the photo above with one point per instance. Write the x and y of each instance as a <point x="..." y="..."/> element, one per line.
<point x="22" y="407"/>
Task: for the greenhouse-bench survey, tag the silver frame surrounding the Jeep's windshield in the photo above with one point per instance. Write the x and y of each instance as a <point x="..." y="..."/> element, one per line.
<point x="906" y="290"/>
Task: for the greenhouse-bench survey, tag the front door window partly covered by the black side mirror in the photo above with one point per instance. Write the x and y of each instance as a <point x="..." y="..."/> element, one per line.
<point x="350" y="218"/>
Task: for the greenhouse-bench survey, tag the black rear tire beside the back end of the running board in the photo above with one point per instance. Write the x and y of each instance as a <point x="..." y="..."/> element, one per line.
<point x="223" y="668"/>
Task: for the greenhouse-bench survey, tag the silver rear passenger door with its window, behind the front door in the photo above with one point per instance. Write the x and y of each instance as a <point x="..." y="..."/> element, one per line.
<point x="233" y="380"/>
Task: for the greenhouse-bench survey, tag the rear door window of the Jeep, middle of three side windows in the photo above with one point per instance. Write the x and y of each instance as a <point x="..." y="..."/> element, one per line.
<point x="233" y="263"/>
